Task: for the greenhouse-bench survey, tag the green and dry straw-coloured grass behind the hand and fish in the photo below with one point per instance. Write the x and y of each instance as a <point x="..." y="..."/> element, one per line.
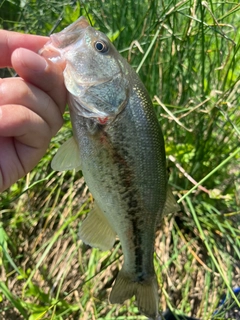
<point x="187" y="54"/>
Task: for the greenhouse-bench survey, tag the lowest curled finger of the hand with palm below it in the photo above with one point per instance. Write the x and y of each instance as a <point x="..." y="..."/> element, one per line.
<point x="19" y="154"/>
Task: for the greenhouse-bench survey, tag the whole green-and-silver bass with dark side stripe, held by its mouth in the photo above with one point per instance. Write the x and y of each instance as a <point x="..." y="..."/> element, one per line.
<point x="119" y="146"/>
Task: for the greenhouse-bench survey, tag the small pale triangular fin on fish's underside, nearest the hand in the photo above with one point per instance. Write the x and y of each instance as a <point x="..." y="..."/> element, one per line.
<point x="67" y="157"/>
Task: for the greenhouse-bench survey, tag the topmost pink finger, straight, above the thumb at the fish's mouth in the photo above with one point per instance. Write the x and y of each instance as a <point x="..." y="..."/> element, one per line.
<point x="9" y="41"/>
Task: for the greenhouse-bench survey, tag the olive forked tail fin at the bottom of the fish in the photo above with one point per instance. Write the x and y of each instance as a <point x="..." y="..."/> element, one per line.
<point x="146" y="293"/>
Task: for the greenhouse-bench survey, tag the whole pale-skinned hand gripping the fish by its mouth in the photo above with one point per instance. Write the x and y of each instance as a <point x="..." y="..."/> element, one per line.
<point x="31" y="105"/>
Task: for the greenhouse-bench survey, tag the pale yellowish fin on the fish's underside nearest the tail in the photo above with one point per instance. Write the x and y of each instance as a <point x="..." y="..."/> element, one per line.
<point x="96" y="231"/>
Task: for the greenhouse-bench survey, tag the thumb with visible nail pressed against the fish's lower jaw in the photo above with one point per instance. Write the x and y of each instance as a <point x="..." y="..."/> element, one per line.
<point x="43" y="74"/>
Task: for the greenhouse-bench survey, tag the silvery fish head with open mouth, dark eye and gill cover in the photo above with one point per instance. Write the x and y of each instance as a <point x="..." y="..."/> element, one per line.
<point x="95" y="74"/>
